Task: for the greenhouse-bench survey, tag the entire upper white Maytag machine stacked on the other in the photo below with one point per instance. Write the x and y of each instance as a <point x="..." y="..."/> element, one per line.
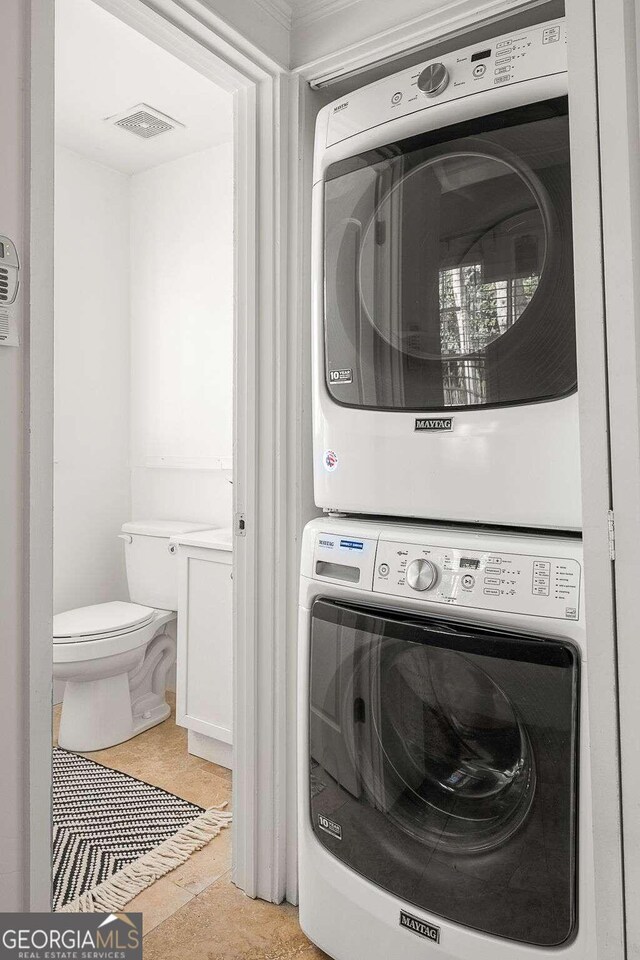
<point x="444" y="361"/>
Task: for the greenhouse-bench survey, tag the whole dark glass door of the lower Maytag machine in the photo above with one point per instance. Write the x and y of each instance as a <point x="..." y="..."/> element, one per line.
<point x="443" y="766"/>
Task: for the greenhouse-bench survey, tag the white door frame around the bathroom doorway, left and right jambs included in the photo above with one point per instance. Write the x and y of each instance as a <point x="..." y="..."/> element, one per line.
<point x="264" y="450"/>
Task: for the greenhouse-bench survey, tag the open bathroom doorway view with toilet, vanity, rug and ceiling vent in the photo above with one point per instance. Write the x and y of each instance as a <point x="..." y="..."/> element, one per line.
<point x="143" y="468"/>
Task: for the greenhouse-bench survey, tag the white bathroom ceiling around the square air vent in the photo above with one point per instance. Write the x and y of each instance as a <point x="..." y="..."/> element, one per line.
<point x="104" y="68"/>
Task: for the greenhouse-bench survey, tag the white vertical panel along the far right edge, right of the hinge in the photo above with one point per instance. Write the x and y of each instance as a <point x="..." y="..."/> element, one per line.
<point x="617" y="61"/>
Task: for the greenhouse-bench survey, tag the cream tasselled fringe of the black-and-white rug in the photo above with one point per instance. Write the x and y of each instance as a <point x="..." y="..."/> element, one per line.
<point x="113" y="894"/>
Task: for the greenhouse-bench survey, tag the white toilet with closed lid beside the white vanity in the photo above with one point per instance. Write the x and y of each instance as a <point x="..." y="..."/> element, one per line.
<point x="114" y="657"/>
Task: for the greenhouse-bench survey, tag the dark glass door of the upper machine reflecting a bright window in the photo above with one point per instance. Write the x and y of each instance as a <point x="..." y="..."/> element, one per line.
<point x="448" y="267"/>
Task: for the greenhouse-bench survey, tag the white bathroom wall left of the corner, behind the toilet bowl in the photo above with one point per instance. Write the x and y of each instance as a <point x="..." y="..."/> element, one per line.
<point x="91" y="441"/>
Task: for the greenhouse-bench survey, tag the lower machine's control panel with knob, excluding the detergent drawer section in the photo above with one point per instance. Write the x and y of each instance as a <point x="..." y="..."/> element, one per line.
<point x="535" y="585"/>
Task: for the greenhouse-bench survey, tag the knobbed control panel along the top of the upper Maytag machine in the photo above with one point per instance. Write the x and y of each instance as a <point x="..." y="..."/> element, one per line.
<point x="537" y="51"/>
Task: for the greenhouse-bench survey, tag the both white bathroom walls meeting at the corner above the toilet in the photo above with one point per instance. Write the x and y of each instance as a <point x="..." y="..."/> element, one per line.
<point x="144" y="365"/>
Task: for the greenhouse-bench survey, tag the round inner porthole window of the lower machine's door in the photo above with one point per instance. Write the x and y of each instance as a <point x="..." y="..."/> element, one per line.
<point x="452" y="743"/>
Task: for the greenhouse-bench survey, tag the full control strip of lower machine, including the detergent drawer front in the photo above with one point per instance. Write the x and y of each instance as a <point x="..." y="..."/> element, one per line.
<point x="464" y="571"/>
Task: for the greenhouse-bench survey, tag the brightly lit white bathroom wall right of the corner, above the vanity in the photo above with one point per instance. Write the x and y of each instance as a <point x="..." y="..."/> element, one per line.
<point x="182" y="338"/>
